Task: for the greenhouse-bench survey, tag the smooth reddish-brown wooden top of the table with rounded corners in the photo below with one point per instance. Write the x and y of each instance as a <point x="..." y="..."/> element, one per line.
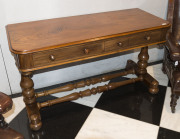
<point x="59" y="32"/>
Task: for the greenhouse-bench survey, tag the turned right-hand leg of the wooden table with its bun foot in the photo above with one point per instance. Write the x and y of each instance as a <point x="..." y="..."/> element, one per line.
<point x="142" y="71"/>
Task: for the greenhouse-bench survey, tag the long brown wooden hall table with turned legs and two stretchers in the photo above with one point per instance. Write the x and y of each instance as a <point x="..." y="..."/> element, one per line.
<point x="48" y="43"/>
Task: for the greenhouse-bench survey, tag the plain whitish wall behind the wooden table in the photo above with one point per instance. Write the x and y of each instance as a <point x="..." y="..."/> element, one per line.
<point x="23" y="11"/>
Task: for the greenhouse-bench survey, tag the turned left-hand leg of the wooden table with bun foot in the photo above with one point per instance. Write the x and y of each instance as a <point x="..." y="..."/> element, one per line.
<point x="30" y="101"/>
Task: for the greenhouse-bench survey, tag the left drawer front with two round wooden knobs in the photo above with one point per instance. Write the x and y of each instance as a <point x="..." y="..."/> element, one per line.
<point x="65" y="54"/>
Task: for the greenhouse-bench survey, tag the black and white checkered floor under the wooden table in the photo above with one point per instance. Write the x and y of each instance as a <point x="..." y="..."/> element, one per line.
<point x="124" y="113"/>
